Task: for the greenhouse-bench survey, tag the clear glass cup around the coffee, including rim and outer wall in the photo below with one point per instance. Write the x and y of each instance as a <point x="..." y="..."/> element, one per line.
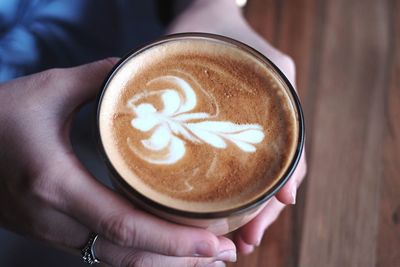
<point x="224" y="221"/>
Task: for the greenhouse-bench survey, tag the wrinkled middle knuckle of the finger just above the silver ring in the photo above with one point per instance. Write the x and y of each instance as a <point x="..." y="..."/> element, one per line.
<point x="120" y="229"/>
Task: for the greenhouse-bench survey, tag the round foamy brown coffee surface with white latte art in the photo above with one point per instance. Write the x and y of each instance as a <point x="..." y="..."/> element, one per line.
<point x="198" y="124"/>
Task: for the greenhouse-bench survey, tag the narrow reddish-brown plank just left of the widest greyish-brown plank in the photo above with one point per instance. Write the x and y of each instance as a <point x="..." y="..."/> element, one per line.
<point x="299" y="38"/>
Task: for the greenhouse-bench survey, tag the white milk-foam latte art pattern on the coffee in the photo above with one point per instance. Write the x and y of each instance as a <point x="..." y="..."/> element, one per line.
<point x="175" y="122"/>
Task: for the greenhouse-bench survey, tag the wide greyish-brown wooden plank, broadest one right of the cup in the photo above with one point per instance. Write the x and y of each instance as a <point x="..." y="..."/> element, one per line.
<point x="341" y="218"/>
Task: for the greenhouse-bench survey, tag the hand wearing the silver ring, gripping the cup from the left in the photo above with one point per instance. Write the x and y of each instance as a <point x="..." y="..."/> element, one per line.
<point x="46" y="193"/>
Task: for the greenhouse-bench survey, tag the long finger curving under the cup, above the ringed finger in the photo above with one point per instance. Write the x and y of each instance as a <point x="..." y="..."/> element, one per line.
<point x="110" y="215"/>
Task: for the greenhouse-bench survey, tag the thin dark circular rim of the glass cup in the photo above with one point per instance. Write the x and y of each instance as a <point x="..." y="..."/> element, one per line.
<point x="194" y="214"/>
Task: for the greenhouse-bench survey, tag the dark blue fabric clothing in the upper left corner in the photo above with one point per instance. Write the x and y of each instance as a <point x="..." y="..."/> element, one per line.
<point x="40" y="34"/>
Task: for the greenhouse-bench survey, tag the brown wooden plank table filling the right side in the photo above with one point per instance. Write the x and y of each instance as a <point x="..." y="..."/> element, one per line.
<point x="347" y="54"/>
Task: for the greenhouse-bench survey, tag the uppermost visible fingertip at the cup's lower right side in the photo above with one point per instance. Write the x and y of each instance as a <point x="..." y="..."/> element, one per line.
<point x="287" y="194"/>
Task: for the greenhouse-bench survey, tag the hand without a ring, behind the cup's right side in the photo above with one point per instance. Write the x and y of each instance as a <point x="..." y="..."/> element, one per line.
<point x="205" y="16"/>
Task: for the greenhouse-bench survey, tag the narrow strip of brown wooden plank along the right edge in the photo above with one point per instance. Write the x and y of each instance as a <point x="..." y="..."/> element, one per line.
<point x="389" y="227"/>
